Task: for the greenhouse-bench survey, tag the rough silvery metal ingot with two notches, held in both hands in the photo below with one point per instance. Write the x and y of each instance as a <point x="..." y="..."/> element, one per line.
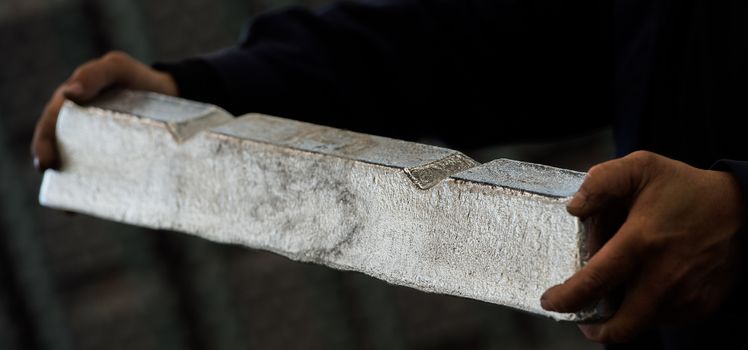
<point x="411" y="214"/>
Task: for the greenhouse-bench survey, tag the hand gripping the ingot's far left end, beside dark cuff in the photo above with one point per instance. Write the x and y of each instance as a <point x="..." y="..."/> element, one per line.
<point x="86" y="82"/>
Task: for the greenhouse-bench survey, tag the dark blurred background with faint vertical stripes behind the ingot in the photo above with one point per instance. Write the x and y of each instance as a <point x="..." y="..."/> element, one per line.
<point x="76" y="282"/>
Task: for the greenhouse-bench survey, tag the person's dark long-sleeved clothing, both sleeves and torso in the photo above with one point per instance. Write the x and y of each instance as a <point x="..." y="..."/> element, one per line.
<point x="670" y="76"/>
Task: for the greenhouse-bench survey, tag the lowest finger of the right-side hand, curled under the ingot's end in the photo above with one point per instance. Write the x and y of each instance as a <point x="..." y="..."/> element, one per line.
<point x="635" y="315"/>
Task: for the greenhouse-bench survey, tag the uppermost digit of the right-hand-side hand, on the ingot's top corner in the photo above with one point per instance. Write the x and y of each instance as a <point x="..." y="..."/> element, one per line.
<point x="615" y="179"/>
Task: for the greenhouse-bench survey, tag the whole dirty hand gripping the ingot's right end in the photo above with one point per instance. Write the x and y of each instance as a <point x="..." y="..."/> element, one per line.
<point x="675" y="256"/>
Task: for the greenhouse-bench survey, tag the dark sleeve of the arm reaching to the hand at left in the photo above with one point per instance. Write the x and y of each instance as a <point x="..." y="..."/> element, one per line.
<point x="467" y="71"/>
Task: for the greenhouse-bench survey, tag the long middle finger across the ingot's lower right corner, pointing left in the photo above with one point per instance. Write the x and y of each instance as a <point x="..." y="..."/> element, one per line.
<point x="607" y="269"/>
